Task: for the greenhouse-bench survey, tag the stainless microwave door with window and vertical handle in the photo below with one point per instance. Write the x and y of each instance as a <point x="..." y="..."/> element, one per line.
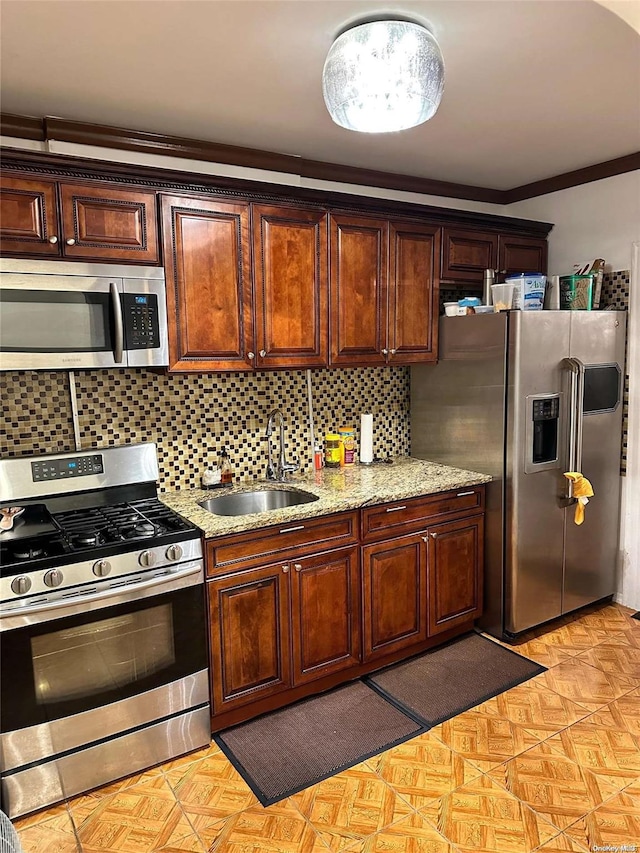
<point x="51" y="322"/>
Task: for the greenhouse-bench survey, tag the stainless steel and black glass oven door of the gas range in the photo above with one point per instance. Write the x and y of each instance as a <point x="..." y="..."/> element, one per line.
<point x="108" y="666"/>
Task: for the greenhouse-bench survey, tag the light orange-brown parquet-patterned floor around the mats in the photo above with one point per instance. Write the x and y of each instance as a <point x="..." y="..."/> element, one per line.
<point x="552" y="765"/>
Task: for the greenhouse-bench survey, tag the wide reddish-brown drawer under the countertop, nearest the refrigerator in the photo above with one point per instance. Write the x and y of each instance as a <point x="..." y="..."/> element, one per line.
<point x="382" y="522"/>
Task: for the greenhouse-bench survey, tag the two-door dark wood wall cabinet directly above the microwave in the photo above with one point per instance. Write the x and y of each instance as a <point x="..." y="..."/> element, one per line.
<point x="75" y="220"/>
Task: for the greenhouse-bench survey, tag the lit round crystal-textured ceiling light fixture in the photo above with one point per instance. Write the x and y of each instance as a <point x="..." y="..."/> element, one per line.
<point x="383" y="76"/>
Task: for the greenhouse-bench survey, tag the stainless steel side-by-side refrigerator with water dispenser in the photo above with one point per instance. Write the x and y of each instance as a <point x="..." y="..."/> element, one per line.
<point x="525" y="396"/>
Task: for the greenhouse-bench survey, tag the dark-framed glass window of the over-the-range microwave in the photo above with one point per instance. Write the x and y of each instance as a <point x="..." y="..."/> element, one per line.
<point x="54" y="321"/>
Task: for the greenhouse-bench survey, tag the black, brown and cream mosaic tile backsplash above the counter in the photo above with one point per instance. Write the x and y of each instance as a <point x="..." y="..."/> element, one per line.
<point x="191" y="418"/>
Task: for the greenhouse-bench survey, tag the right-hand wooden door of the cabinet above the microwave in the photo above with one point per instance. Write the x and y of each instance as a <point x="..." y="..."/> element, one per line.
<point x="109" y="223"/>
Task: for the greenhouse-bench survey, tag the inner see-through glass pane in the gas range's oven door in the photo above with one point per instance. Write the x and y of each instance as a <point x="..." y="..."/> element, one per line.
<point x="106" y="654"/>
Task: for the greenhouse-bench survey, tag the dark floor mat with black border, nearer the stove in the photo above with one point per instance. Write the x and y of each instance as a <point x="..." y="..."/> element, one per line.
<point x="286" y="751"/>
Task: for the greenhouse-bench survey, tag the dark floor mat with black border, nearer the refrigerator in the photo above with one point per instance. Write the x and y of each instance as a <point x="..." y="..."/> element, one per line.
<point x="446" y="681"/>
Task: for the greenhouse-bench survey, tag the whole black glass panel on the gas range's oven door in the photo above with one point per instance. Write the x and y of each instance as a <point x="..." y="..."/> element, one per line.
<point x="56" y="669"/>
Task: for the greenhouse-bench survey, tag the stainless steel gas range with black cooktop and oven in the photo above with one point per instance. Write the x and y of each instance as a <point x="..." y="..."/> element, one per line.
<point x="103" y="650"/>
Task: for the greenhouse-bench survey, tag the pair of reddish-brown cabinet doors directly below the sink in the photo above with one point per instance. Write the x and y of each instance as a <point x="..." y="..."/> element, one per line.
<point x="283" y="625"/>
